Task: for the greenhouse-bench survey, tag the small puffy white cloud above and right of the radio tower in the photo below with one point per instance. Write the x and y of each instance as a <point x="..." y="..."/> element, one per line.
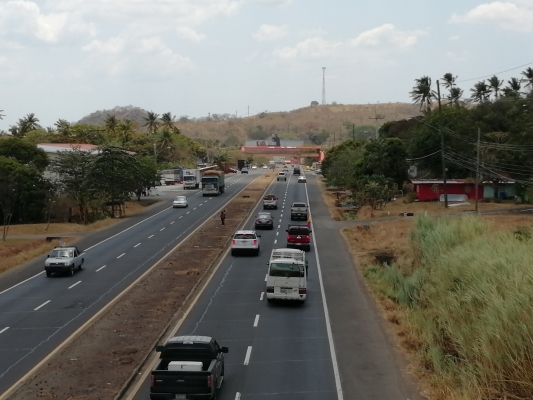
<point x="387" y="35"/>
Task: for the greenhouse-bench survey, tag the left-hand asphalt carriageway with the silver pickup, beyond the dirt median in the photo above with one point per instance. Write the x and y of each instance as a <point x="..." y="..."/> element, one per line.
<point x="38" y="313"/>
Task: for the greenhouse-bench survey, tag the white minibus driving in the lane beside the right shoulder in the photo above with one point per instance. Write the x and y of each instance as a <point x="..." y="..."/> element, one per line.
<point x="287" y="275"/>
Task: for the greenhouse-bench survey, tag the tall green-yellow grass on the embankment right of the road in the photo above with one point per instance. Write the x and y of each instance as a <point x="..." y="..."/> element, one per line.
<point x="462" y="293"/>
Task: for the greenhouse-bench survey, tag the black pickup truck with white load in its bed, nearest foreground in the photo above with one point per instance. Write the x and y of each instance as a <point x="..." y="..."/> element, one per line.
<point x="189" y="367"/>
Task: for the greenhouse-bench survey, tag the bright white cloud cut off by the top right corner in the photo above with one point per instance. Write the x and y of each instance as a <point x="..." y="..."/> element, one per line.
<point x="517" y="16"/>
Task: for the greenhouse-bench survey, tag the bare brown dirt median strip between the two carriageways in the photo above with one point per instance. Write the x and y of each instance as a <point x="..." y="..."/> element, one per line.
<point x="99" y="361"/>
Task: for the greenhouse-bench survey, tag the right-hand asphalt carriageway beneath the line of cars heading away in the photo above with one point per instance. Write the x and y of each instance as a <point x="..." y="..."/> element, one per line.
<point x="276" y="350"/>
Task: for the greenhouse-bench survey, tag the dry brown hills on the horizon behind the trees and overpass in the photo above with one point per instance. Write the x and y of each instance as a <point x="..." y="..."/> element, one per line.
<point x="339" y="121"/>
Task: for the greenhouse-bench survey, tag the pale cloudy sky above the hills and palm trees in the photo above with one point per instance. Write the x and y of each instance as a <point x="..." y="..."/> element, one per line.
<point x="64" y="59"/>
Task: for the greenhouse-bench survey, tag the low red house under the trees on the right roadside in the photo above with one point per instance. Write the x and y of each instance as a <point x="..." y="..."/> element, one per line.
<point x="457" y="189"/>
